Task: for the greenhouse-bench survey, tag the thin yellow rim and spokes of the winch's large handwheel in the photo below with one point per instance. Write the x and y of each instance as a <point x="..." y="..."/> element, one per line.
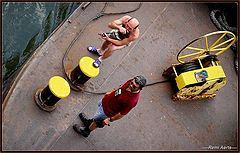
<point x="215" y="48"/>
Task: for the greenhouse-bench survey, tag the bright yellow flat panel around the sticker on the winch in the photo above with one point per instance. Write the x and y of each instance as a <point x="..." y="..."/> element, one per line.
<point x="188" y="78"/>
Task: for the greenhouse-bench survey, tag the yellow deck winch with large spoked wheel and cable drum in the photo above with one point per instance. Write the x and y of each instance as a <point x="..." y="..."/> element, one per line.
<point x="198" y="73"/>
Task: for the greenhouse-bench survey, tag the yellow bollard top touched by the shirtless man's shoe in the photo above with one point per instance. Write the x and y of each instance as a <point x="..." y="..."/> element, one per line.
<point x="86" y="66"/>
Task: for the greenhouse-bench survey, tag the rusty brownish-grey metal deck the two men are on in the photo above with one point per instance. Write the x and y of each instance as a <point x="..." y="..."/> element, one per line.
<point x="157" y="123"/>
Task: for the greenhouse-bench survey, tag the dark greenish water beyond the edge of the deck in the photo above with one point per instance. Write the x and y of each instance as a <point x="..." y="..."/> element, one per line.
<point x="25" y="26"/>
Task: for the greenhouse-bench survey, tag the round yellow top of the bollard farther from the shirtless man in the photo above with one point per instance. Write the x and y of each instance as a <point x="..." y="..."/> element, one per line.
<point x="59" y="87"/>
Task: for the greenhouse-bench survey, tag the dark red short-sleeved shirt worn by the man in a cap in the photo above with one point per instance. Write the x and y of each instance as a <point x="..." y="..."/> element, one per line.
<point x="122" y="103"/>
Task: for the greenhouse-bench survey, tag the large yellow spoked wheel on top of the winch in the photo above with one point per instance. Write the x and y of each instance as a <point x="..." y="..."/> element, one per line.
<point x="213" y="43"/>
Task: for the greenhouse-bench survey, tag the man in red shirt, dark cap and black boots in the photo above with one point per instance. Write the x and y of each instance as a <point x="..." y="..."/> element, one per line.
<point x="113" y="106"/>
